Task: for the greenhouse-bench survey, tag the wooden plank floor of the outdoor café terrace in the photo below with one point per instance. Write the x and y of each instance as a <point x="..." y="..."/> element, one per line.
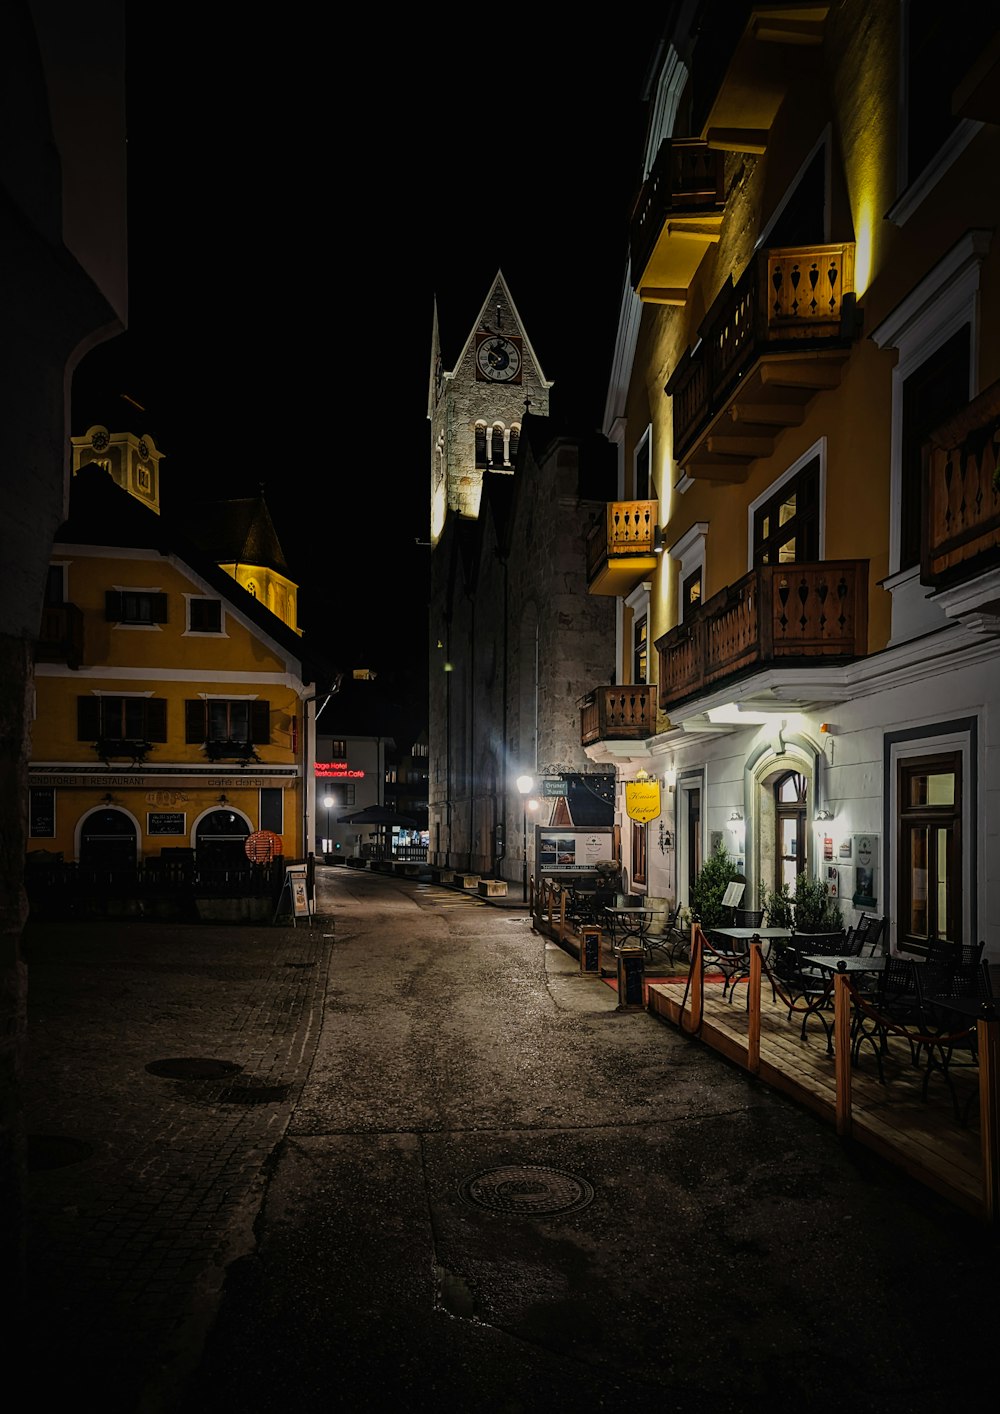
<point x="921" y="1138"/>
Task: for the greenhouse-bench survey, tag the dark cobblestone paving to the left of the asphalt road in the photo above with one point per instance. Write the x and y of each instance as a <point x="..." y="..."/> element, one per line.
<point x="145" y="1186"/>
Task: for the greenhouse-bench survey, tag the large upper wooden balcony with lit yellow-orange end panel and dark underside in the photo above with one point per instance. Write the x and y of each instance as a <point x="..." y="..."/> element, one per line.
<point x="770" y="343"/>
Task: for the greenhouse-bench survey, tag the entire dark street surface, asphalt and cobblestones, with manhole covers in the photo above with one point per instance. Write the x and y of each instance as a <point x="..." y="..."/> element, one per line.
<point x="453" y="1176"/>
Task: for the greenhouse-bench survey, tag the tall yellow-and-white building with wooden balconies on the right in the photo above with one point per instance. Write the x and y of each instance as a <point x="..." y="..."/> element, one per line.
<point x="806" y="399"/>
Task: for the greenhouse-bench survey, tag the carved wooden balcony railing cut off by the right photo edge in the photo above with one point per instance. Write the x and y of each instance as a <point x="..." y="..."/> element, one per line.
<point x="963" y="480"/>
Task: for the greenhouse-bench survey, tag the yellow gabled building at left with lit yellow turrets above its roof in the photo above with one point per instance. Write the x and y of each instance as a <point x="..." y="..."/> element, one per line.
<point x="176" y="713"/>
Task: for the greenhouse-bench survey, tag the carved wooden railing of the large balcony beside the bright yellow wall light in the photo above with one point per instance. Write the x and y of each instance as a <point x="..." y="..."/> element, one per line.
<point x="789" y="302"/>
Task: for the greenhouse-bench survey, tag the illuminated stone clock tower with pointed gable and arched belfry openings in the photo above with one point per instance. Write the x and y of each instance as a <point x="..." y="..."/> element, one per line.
<point x="477" y="409"/>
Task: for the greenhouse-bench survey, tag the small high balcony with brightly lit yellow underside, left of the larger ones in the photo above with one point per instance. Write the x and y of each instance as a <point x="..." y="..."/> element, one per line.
<point x="678" y="216"/>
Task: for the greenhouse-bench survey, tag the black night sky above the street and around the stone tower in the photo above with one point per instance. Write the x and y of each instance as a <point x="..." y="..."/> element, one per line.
<point x="298" y="200"/>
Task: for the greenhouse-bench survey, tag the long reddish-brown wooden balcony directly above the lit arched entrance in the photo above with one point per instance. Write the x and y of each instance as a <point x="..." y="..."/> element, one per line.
<point x="779" y="616"/>
